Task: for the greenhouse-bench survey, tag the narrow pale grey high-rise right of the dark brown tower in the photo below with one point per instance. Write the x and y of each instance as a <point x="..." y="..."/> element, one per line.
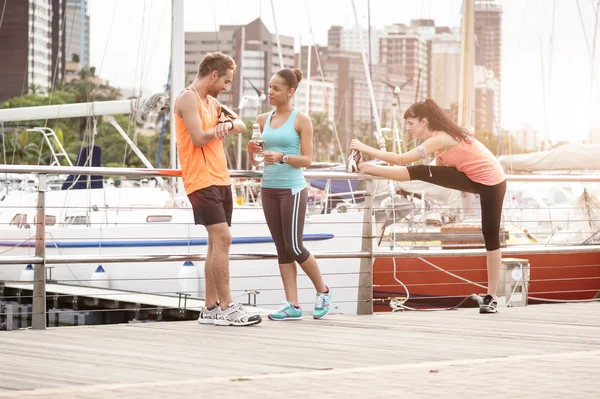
<point x="77" y="32"/>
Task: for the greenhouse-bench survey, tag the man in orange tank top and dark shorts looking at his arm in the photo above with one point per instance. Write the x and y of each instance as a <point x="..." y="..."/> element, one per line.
<point x="201" y="126"/>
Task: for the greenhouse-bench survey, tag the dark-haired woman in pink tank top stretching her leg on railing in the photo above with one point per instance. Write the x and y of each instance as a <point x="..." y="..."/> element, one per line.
<point x="461" y="163"/>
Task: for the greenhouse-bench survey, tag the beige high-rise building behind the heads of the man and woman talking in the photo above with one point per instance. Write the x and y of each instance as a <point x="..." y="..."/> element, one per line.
<point x="256" y="54"/>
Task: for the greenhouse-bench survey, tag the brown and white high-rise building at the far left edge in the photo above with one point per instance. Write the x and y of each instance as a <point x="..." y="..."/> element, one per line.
<point x="31" y="54"/>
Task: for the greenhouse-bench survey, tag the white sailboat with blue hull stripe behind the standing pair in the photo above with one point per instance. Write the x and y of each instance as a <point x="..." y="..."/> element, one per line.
<point x="101" y="219"/>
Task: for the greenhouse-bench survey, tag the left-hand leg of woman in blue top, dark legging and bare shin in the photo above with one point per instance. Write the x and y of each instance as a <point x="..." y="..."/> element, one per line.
<point x="272" y="200"/>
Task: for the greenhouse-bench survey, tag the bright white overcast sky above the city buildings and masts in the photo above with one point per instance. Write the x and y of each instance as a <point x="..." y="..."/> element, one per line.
<point x="130" y="45"/>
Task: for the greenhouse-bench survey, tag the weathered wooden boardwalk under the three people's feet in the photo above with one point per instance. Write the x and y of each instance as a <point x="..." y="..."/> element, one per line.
<point x="536" y="351"/>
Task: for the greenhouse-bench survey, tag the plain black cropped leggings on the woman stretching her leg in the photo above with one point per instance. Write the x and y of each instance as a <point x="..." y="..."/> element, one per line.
<point x="491" y="197"/>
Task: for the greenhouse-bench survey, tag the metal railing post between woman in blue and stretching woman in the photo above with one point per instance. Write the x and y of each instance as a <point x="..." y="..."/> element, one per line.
<point x="365" y="279"/>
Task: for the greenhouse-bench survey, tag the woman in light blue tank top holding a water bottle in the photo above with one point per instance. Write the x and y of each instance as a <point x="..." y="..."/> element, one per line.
<point x="288" y="147"/>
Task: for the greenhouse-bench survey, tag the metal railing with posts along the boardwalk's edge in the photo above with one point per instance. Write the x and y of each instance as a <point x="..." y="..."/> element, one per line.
<point x="367" y="254"/>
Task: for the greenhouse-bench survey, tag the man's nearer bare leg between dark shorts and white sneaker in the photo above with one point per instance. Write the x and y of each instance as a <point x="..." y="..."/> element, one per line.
<point x="217" y="263"/>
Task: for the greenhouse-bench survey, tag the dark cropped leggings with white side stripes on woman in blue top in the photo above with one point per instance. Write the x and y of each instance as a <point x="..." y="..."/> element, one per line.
<point x="285" y="212"/>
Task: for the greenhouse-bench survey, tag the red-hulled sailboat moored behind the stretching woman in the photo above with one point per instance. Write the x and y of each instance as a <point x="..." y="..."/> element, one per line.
<point x="434" y="279"/>
